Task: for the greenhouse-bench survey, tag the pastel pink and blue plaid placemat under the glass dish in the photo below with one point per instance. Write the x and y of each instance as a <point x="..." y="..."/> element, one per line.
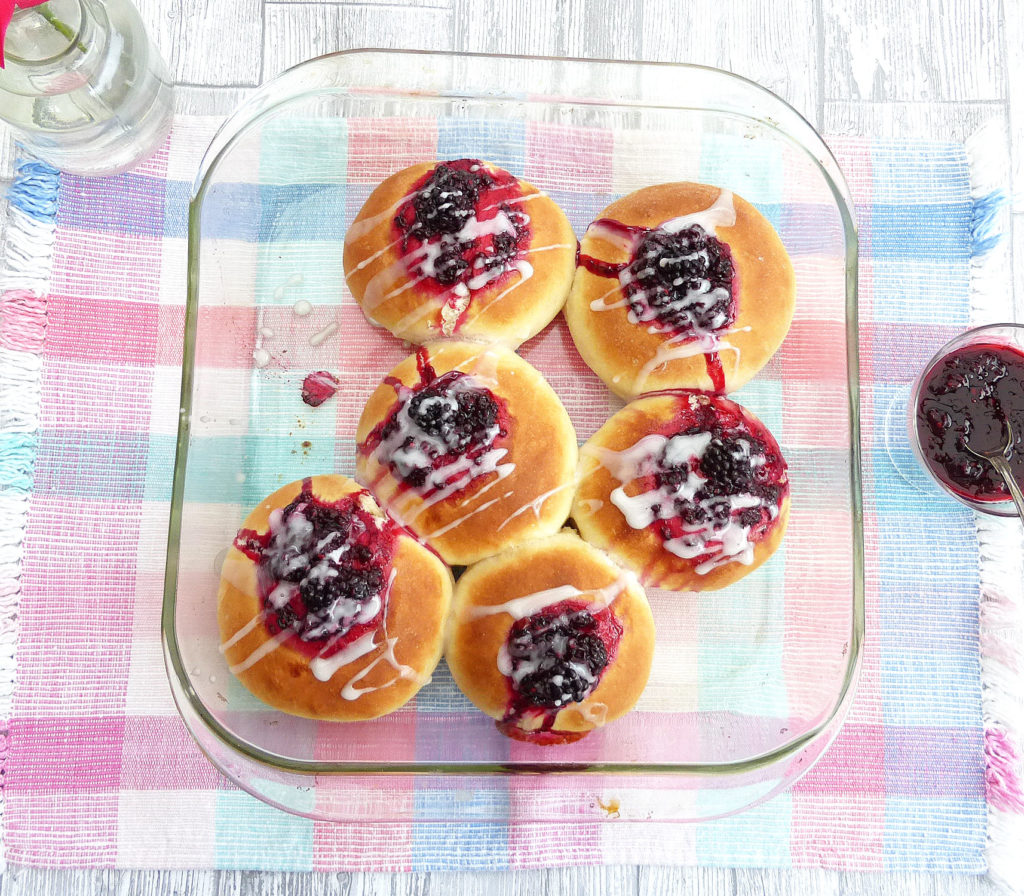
<point x="99" y="771"/>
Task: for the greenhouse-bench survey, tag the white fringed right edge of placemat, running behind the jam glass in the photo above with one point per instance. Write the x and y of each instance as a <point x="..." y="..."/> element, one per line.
<point x="1001" y="613"/>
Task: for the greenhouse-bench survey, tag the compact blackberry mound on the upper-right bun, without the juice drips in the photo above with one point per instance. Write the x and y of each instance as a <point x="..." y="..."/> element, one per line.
<point x="681" y="282"/>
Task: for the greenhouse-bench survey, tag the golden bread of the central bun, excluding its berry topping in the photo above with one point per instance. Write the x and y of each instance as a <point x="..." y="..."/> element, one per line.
<point x="488" y="516"/>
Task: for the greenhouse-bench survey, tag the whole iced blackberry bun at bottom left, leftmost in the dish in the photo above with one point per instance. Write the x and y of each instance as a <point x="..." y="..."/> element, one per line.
<point x="327" y="609"/>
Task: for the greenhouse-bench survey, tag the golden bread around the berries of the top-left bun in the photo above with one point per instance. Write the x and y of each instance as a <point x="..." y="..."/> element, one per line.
<point x="508" y="311"/>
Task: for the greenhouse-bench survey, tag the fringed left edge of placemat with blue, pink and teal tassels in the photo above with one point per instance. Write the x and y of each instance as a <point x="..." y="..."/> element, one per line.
<point x="25" y="276"/>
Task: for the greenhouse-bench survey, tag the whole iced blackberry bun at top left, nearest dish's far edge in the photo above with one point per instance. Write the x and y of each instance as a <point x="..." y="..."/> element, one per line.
<point x="460" y="249"/>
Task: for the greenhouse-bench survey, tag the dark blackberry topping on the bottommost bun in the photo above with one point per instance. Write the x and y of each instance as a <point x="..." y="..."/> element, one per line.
<point x="557" y="658"/>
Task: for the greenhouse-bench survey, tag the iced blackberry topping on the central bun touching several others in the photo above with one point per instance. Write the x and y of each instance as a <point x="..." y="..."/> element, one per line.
<point x="442" y="435"/>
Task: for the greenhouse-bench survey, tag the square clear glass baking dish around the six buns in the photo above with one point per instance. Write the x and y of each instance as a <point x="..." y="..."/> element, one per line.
<point x="749" y="685"/>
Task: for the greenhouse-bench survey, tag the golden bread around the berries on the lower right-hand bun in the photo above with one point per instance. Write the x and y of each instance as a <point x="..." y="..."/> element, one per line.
<point x="643" y="550"/>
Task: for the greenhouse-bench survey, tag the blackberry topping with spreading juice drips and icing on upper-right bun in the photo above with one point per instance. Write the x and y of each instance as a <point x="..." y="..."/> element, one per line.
<point x="679" y="280"/>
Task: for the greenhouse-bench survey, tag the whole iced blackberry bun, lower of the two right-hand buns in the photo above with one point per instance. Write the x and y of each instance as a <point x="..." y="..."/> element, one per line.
<point x="689" y="490"/>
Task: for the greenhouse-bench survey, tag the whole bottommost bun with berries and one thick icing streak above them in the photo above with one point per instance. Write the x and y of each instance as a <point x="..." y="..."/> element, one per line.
<point x="551" y="638"/>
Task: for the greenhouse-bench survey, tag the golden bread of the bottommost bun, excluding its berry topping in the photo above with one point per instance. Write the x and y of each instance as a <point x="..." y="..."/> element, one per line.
<point x="535" y="567"/>
